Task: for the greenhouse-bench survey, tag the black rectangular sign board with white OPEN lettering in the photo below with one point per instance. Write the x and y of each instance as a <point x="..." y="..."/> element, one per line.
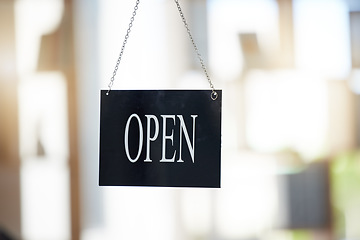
<point x="160" y="138"/>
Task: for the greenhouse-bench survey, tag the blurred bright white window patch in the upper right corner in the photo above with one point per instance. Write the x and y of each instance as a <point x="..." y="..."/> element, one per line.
<point x="322" y="37"/>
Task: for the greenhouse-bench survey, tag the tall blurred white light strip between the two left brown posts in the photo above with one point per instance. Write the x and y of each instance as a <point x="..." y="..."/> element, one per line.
<point x="45" y="204"/>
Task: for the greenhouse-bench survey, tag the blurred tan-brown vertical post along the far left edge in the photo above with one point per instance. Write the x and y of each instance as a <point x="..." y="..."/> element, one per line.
<point x="10" y="206"/>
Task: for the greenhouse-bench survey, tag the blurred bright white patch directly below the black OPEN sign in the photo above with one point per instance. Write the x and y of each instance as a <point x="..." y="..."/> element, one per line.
<point x="139" y="213"/>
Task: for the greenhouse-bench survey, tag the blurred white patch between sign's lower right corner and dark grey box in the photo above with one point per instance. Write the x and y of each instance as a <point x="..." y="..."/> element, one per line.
<point x="246" y="206"/>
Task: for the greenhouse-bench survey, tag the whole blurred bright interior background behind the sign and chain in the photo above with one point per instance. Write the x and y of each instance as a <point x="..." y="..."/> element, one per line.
<point x="290" y="74"/>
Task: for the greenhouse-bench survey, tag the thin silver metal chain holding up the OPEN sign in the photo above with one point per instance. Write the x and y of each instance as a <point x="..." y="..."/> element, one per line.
<point x="214" y="94"/>
